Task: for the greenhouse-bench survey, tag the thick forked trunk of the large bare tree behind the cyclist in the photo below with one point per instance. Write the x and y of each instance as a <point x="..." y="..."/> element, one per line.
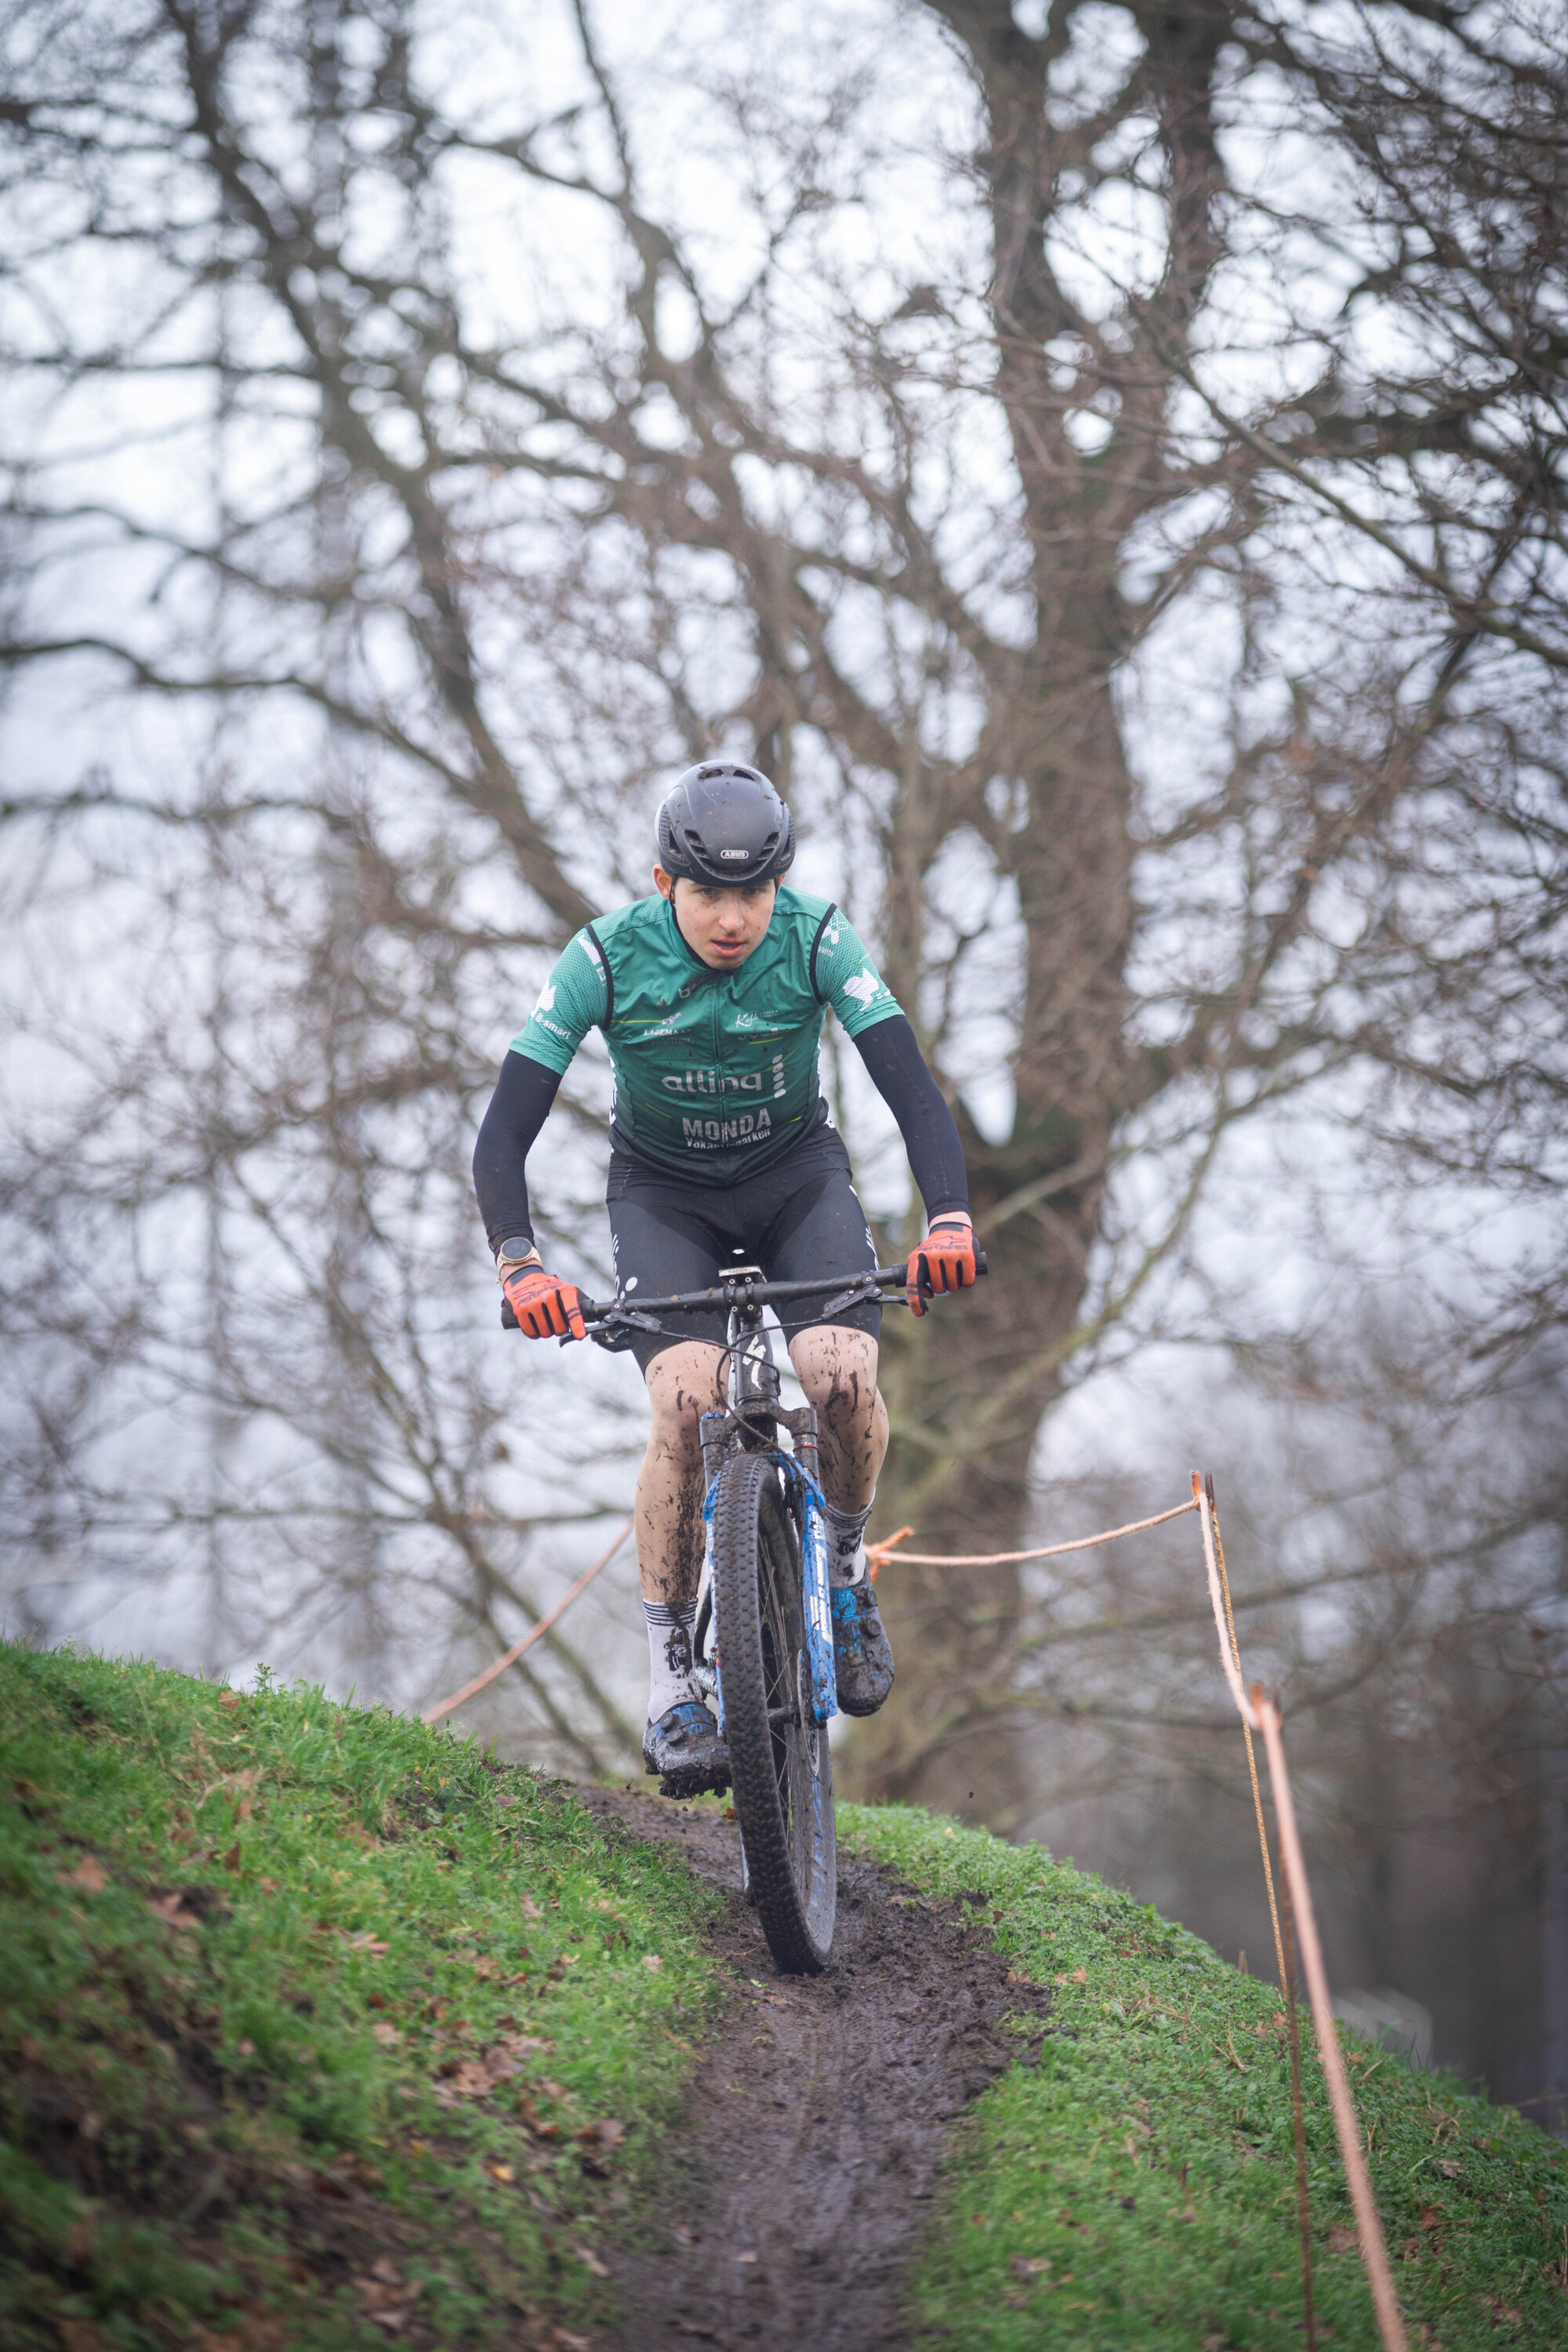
<point x="967" y="1394"/>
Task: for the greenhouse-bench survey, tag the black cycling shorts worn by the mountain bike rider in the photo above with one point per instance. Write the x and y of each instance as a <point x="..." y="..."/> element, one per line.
<point x="793" y="1220"/>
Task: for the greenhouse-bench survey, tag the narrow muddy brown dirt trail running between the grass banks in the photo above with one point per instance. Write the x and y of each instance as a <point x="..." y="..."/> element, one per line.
<point x="805" y="2167"/>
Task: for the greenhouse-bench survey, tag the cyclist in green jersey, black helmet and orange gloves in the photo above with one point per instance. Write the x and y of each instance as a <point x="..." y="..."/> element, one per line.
<point x="711" y="998"/>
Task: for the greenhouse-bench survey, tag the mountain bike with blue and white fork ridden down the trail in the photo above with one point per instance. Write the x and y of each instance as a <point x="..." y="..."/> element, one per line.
<point x="765" y="1622"/>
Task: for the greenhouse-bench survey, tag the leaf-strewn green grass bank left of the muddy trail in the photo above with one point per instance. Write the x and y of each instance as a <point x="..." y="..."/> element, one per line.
<point x="311" y="2014"/>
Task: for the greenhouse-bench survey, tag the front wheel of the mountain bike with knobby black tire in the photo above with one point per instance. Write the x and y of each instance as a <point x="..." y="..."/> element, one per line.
<point x="779" y="1763"/>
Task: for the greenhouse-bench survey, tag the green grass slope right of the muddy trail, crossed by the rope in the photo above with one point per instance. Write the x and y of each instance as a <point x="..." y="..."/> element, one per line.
<point x="1137" y="2189"/>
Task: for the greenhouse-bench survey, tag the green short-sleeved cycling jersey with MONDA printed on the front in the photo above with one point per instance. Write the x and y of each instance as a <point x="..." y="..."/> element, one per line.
<point x="716" y="1071"/>
